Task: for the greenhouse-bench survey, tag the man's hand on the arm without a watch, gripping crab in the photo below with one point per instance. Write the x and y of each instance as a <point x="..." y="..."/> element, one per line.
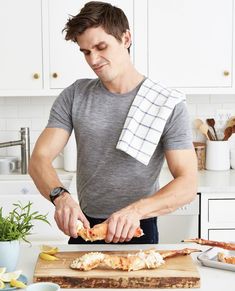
<point x="122" y="225"/>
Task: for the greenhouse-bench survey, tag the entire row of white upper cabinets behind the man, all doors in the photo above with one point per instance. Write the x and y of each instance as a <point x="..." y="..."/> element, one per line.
<point x="186" y="44"/>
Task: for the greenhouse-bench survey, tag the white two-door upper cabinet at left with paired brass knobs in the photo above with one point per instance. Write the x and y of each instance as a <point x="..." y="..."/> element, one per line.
<point x="35" y="58"/>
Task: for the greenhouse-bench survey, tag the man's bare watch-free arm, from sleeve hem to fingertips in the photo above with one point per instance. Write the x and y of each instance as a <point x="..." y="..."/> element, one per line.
<point x="181" y="190"/>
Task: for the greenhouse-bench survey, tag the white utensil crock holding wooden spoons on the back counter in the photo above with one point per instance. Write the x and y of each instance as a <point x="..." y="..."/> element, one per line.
<point x="217" y="155"/>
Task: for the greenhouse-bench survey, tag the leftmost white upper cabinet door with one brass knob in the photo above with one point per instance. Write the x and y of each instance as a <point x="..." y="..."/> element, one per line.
<point x="21" y="45"/>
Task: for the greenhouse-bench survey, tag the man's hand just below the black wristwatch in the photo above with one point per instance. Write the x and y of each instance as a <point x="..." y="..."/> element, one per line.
<point x="67" y="212"/>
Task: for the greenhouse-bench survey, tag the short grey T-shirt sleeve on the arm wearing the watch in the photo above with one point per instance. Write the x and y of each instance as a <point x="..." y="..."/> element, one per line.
<point x="61" y="111"/>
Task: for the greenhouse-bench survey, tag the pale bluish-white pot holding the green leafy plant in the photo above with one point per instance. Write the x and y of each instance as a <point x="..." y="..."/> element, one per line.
<point x="9" y="254"/>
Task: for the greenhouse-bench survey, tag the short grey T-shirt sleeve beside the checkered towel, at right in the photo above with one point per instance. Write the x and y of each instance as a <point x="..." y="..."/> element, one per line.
<point x="177" y="133"/>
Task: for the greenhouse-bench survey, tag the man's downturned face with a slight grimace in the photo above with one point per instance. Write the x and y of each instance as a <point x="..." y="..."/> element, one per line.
<point x="104" y="53"/>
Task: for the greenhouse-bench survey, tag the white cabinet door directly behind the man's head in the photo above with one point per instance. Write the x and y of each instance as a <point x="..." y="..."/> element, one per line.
<point x="67" y="63"/>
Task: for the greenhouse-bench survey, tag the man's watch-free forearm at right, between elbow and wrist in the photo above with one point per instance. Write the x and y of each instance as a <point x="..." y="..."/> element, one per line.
<point x="178" y="192"/>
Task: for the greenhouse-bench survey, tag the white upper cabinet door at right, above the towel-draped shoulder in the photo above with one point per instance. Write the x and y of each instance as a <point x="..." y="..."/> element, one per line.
<point x="189" y="42"/>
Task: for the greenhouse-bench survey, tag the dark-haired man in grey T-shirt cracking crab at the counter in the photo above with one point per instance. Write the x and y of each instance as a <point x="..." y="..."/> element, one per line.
<point x="112" y="186"/>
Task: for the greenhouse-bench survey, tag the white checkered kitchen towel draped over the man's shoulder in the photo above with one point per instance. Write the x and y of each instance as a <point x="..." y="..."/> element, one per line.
<point x="146" y="120"/>
